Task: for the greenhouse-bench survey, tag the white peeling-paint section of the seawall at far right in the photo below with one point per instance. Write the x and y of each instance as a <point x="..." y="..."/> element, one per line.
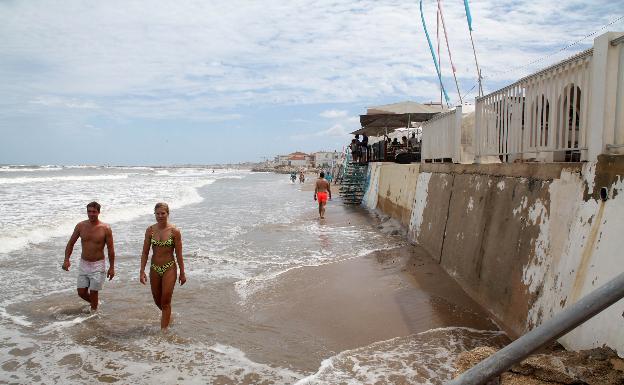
<point x="584" y="237"/>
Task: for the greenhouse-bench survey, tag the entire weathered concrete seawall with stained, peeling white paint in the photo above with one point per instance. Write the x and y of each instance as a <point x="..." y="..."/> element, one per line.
<point x="524" y="240"/>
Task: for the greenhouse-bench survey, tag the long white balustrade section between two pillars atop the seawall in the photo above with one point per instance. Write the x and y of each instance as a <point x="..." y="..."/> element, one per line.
<point x="543" y="116"/>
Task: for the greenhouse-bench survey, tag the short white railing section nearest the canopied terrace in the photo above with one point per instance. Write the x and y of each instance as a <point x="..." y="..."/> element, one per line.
<point x="441" y="137"/>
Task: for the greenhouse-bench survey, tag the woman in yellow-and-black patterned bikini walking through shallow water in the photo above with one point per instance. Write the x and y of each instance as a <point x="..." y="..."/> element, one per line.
<point x="164" y="238"/>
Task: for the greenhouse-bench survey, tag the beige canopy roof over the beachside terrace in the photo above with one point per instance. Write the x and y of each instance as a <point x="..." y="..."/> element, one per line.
<point x="380" y="120"/>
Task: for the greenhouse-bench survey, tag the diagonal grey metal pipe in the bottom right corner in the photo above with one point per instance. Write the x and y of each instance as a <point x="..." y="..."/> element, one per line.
<point x="559" y="325"/>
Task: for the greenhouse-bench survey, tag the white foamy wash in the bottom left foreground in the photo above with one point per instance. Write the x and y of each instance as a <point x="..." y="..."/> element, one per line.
<point x="180" y="361"/>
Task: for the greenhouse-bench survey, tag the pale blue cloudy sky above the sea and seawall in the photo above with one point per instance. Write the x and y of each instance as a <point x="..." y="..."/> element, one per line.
<point x="204" y="82"/>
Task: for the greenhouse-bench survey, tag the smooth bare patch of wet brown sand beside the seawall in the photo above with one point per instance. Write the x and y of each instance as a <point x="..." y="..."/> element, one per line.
<point x="353" y="303"/>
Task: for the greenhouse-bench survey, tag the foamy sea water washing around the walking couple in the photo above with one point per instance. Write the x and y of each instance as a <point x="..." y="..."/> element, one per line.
<point x="242" y="233"/>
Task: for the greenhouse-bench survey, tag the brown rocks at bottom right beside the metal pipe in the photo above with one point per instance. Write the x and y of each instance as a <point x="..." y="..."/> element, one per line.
<point x="600" y="366"/>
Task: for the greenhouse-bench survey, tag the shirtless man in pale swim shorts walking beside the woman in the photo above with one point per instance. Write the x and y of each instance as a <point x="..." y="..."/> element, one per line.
<point x="93" y="236"/>
